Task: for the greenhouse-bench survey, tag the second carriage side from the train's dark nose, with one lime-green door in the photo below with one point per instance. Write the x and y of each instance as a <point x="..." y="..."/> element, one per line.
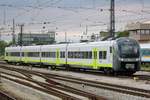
<point x="53" y="54"/>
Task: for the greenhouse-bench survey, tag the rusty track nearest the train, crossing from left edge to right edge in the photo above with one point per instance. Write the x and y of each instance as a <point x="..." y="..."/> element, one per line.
<point x="118" y="88"/>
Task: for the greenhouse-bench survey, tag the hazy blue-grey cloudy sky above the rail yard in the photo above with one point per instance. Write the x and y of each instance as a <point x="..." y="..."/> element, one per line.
<point x="71" y="16"/>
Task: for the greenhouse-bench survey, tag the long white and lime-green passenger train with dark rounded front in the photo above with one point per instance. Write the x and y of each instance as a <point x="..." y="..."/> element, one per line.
<point x="114" y="56"/>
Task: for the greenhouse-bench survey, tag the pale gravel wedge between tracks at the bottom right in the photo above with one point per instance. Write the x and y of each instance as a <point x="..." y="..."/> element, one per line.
<point x="110" y="95"/>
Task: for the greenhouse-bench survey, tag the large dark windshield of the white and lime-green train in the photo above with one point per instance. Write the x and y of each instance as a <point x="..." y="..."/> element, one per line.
<point x="128" y="49"/>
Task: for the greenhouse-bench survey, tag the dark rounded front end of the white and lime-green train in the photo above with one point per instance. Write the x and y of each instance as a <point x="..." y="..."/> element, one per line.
<point x="128" y="55"/>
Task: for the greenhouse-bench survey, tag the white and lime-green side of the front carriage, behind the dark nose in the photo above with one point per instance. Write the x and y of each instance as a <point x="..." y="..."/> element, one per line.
<point x="92" y="55"/>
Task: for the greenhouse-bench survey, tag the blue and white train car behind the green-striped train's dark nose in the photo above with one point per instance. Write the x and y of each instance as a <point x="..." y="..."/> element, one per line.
<point x="145" y="53"/>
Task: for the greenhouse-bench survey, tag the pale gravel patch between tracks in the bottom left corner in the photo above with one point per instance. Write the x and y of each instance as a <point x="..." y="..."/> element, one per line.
<point x="25" y="92"/>
